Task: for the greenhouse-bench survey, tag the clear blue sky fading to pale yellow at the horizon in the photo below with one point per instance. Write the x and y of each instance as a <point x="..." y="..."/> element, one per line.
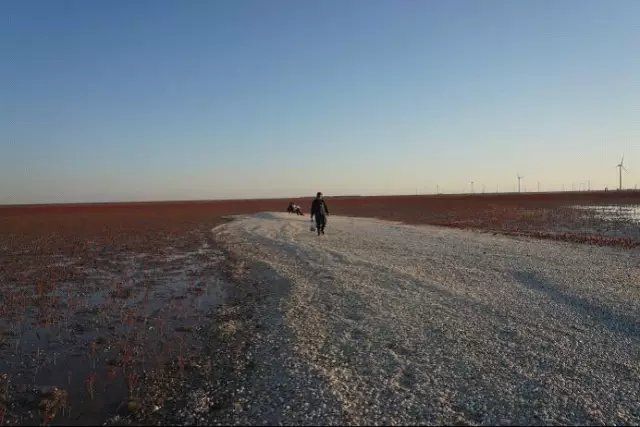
<point x="174" y="100"/>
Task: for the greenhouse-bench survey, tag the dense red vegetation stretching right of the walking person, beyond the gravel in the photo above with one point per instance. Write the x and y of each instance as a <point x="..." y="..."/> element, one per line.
<point x="539" y="215"/>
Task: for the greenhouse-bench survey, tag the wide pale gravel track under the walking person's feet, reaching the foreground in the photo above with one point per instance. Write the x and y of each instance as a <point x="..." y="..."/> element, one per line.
<point x="383" y="323"/>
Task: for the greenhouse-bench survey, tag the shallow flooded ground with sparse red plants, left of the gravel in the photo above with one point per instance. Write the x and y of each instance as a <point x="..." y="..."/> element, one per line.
<point x="81" y="351"/>
